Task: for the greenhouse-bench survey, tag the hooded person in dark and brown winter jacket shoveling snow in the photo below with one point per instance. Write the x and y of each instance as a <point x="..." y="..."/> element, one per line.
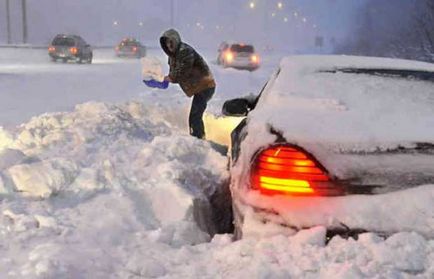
<point x="190" y="71"/>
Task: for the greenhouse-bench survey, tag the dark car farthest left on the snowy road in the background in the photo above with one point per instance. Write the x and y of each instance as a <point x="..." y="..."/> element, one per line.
<point x="70" y="48"/>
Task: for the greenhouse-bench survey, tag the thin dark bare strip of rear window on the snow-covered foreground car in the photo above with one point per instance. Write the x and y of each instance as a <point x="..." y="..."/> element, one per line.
<point x="393" y="73"/>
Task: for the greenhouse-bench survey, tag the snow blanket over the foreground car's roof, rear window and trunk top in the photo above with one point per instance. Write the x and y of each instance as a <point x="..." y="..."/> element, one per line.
<point x="310" y="102"/>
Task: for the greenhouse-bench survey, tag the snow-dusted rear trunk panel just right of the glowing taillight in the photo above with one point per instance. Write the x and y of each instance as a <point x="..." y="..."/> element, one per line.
<point x="380" y="171"/>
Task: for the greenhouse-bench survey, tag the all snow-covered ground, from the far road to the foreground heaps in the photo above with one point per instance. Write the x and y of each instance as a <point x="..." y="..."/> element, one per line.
<point x="113" y="187"/>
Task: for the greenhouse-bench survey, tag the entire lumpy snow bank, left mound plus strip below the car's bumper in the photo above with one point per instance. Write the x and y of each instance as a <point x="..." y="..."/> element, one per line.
<point x="111" y="192"/>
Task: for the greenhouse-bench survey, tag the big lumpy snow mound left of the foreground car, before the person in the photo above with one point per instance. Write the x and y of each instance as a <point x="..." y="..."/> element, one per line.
<point x="98" y="181"/>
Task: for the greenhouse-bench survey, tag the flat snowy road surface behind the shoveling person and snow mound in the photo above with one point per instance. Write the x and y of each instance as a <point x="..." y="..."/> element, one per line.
<point x="31" y="85"/>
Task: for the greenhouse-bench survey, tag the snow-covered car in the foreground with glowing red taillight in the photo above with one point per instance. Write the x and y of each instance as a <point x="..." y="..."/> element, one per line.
<point x="336" y="141"/>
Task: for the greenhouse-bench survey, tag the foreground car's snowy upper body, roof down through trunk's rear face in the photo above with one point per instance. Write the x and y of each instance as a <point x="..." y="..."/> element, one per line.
<point x="356" y="124"/>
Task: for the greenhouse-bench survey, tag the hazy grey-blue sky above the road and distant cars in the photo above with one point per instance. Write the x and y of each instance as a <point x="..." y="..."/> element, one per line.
<point x="294" y="26"/>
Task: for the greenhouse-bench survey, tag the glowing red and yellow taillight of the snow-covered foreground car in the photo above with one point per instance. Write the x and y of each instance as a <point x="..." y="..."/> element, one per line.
<point x="290" y="170"/>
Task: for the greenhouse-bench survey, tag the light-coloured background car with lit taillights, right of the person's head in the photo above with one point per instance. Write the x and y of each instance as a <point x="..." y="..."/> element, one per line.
<point x="238" y="56"/>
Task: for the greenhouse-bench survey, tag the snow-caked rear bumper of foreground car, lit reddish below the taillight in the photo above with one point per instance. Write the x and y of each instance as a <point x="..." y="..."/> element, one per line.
<point x="405" y="210"/>
